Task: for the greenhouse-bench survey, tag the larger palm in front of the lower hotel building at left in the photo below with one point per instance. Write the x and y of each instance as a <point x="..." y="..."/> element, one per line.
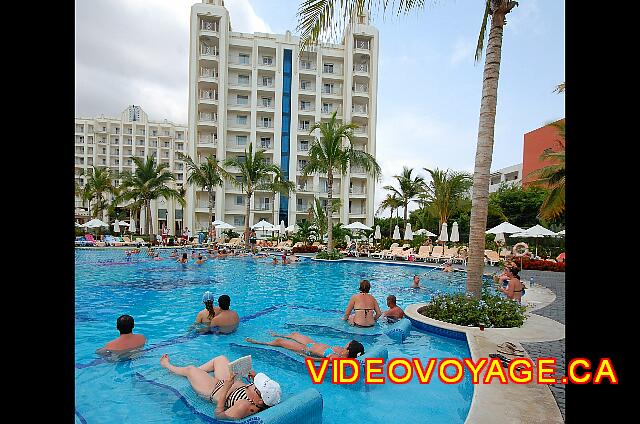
<point x="148" y="182"/>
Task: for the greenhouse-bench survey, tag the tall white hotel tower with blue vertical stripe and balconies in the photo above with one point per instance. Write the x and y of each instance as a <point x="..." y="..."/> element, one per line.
<point x="258" y="88"/>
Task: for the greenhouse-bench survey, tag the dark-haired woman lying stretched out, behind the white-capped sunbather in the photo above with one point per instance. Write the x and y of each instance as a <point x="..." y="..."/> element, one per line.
<point x="311" y="349"/>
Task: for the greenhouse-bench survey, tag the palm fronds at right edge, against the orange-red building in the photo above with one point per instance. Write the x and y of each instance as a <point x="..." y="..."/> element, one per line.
<point x="552" y="177"/>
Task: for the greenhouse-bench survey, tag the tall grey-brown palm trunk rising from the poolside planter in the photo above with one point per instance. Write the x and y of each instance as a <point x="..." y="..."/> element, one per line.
<point x="484" y="151"/>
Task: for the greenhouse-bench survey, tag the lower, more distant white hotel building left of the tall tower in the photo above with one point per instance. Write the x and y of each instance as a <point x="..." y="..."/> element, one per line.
<point x="112" y="142"/>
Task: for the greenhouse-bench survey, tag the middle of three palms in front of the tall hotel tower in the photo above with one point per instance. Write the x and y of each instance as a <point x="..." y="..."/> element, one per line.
<point x="254" y="173"/>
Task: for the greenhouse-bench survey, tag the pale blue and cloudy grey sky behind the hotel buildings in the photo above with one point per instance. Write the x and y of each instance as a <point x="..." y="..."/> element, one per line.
<point x="429" y="88"/>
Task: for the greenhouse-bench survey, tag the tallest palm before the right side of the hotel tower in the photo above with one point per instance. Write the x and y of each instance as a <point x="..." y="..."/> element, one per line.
<point x="328" y="155"/>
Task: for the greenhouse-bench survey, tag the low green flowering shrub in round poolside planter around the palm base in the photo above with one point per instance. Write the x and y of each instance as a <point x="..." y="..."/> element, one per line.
<point x="492" y="311"/>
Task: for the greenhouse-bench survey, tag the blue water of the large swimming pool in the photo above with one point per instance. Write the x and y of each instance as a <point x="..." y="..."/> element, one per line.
<point x="164" y="297"/>
